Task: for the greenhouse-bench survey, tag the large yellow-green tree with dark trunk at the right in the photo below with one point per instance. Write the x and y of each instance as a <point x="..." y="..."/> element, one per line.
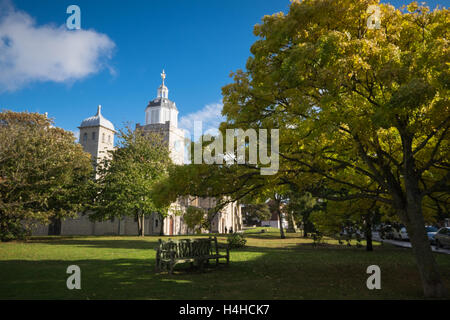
<point x="363" y="111"/>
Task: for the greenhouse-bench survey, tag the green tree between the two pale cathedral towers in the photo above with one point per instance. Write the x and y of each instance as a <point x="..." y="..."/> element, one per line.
<point x="127" y="178"/>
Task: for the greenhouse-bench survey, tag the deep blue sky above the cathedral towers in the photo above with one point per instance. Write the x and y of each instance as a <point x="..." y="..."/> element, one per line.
<point x="198" y="43"/>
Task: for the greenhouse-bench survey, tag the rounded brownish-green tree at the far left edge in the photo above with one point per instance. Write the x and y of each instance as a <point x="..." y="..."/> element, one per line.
<point x="44" y="174"/>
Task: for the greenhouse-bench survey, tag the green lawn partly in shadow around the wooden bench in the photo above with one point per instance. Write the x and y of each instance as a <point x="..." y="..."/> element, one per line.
<point x="268" y="268"/>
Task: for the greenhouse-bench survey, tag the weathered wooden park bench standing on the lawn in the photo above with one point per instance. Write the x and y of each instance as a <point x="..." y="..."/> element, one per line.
<point x="170" y="253"/>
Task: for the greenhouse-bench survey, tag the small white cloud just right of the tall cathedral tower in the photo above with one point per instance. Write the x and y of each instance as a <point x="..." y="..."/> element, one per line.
<point x="210" y="116"/>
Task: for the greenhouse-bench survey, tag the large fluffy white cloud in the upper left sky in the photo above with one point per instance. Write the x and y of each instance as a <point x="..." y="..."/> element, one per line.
<point x="30" y="53"/>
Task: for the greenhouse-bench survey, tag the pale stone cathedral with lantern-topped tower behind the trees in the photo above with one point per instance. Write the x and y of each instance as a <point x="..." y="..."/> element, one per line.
<point x="97" y="137"/>
